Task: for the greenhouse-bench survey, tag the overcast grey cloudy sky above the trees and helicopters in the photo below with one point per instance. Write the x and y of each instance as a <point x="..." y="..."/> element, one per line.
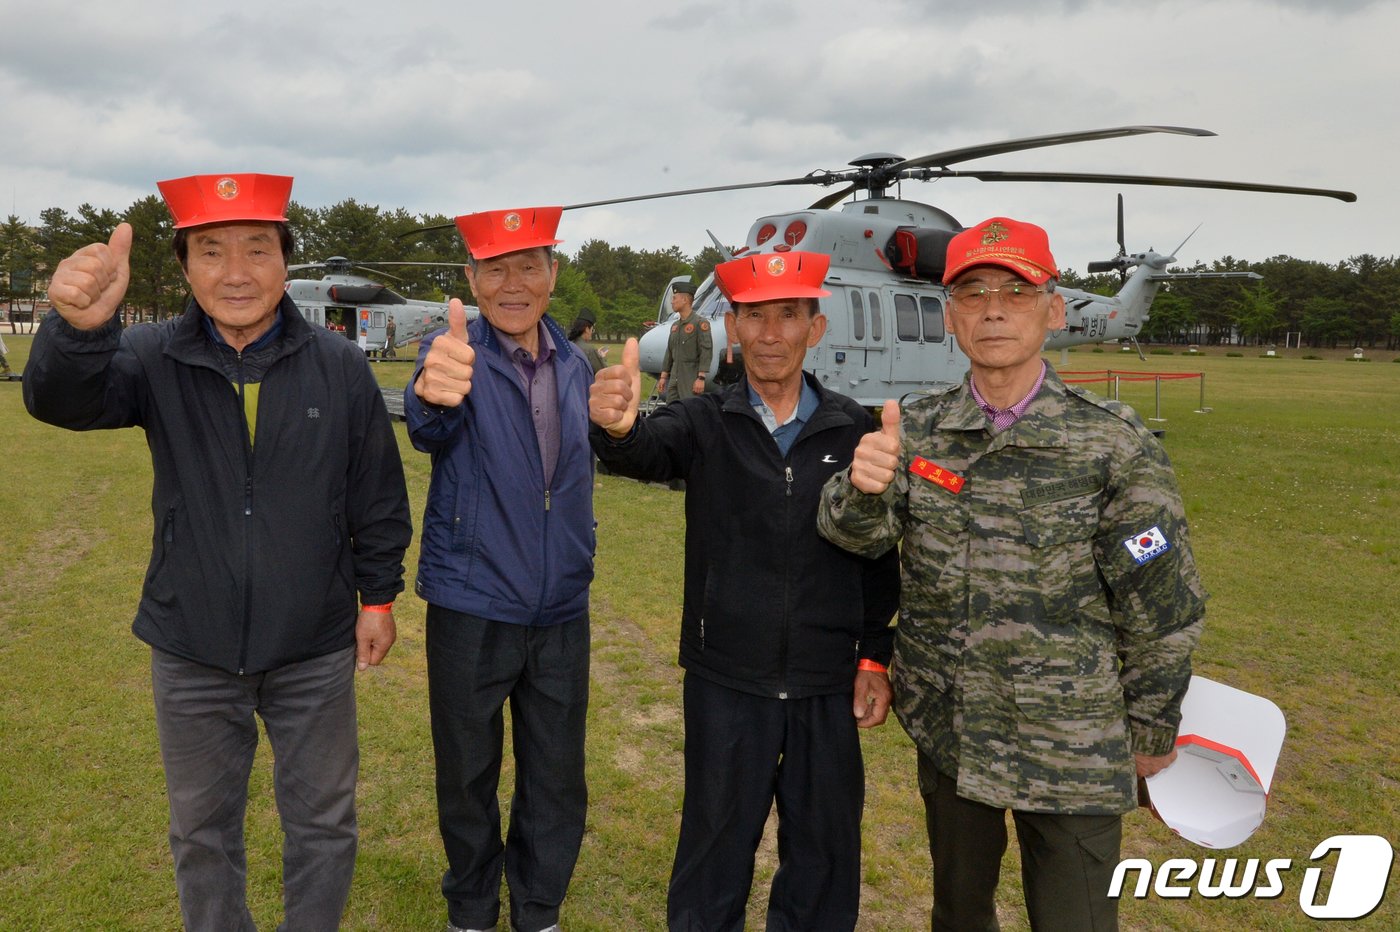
<point x="453" y="107"/>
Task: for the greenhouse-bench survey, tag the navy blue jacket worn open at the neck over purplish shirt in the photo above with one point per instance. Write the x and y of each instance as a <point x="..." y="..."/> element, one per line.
<point x="496" y="542"/>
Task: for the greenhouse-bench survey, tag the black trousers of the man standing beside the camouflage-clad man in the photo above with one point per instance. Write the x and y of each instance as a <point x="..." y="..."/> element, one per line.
<point x="743" y="752"/>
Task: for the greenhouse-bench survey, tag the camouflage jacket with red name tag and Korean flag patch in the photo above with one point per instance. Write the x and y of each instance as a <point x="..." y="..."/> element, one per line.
<point x="1051" y="601"/>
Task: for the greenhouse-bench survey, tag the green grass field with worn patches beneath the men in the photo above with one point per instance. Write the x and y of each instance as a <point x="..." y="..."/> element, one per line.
<point x="1293" y="488"/>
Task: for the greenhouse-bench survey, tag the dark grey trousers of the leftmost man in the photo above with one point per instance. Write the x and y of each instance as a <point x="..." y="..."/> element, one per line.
<point x="209" y="734"/>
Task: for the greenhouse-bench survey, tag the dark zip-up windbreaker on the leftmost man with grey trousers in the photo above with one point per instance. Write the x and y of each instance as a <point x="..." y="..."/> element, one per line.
<point x="258" y="549"/>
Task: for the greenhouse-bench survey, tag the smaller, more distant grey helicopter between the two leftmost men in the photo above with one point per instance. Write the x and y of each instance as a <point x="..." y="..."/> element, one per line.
<point x="362" y="309"/>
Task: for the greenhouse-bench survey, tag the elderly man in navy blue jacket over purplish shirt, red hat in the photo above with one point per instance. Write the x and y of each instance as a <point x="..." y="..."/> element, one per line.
<point x="506" y="563"/>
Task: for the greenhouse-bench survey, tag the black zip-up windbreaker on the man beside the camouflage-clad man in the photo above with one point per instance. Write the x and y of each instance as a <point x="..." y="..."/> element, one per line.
<point x="771" y="608"/>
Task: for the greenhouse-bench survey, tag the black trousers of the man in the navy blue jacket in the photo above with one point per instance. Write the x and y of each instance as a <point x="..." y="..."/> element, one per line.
<point x="475" y="668"/>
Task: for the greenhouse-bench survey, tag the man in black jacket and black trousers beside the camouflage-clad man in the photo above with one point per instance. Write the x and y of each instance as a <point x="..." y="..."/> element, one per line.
<point x="785" y="639"/>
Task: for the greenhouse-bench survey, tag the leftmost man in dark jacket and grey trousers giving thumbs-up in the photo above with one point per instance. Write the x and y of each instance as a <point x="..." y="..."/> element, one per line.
<point x="278" y="497"/>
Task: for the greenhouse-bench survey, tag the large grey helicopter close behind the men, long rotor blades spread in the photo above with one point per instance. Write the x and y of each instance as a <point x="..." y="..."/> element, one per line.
<point x="885" y="316"/>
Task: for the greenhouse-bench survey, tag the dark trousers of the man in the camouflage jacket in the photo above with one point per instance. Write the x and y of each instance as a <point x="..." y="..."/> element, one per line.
<point x="1067" y="863"/>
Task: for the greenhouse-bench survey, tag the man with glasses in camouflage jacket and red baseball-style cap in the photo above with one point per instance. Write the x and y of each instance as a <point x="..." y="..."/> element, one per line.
<point x="1051" y="600"/>
